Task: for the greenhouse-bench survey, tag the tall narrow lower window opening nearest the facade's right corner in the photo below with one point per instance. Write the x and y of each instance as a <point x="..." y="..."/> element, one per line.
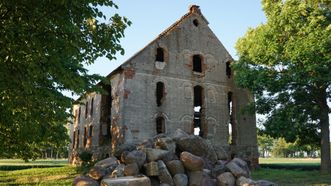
<point x="232" y="124"/>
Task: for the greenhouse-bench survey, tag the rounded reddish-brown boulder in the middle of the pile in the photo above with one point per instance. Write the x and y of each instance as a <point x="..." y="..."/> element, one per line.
<point x="191" y="162"/>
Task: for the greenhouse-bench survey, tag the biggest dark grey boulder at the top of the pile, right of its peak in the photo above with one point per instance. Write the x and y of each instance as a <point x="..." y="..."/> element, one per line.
<point x="197" y="146"/>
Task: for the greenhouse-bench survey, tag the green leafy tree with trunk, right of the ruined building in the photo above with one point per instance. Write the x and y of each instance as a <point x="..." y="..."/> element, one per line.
<point x="286" y="63"/>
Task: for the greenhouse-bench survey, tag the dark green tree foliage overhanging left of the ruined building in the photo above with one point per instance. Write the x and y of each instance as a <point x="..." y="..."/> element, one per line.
<point x="44" y="47"/>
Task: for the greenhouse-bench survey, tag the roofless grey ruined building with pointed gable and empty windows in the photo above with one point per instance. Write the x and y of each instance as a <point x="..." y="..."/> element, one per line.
<point x="180" y="80"/>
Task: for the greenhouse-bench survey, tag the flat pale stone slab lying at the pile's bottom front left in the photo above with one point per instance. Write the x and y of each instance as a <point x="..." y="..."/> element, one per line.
<point x="127" y="181"/>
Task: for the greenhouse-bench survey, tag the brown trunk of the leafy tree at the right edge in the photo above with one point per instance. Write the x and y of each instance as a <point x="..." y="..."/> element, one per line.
<point x="325" y="135"/>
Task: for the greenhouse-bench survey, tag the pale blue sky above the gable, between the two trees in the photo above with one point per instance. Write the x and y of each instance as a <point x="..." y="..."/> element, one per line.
<point x="229" y="20"/>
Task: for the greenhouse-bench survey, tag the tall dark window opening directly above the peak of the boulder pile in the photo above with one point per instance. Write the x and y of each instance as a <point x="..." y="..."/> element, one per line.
<point x="198" y="115"/>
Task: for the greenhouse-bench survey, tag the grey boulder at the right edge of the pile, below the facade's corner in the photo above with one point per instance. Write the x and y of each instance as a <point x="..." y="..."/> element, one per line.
<point x="238" y="168"/>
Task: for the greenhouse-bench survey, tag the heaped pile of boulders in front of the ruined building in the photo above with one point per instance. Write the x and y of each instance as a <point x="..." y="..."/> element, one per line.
<point x="179" y="160"/>
